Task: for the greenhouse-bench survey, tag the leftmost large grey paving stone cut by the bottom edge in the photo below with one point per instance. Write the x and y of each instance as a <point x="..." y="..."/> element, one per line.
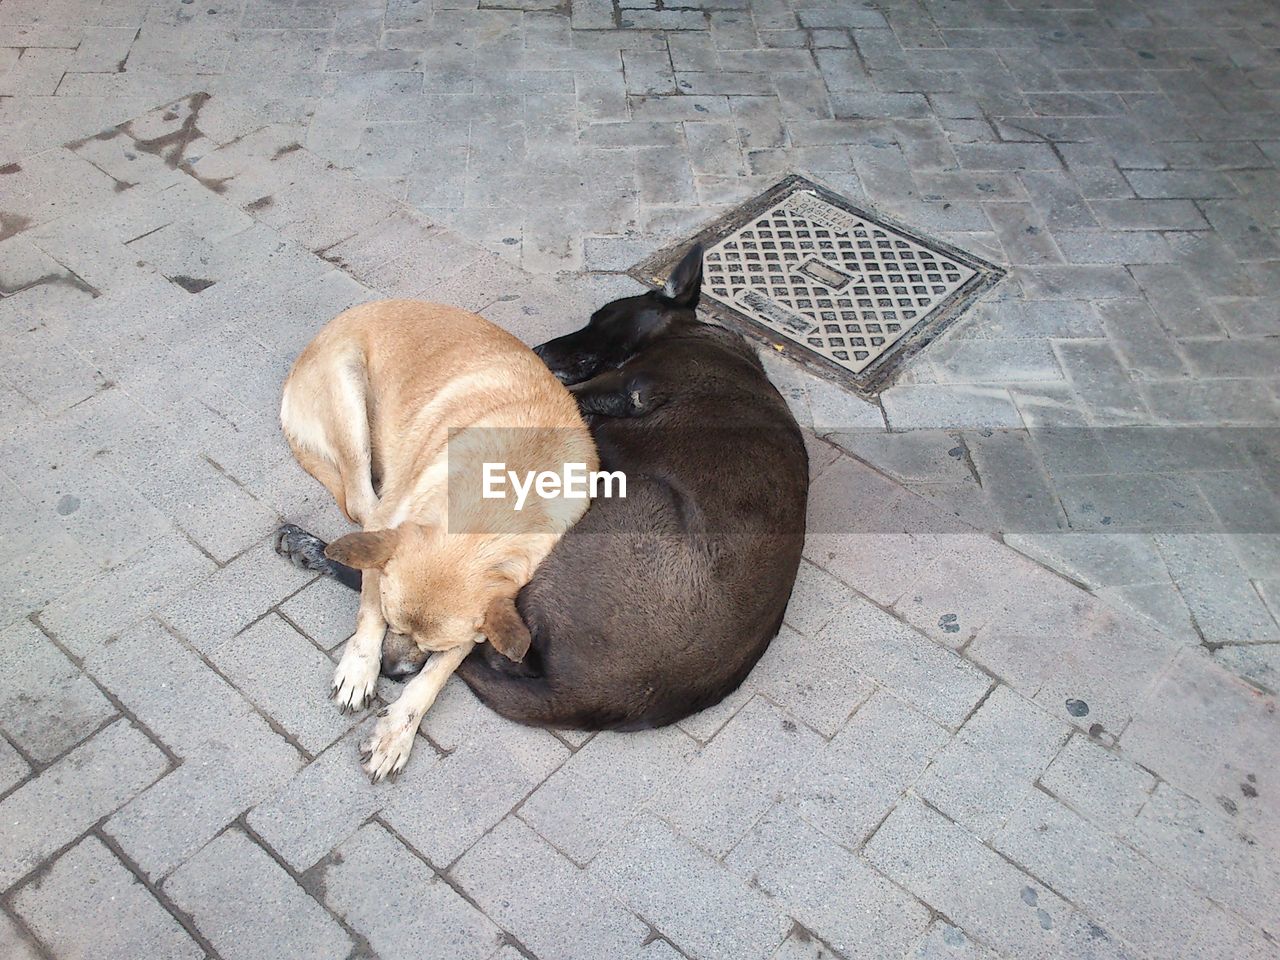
<point x="116" y="917"/>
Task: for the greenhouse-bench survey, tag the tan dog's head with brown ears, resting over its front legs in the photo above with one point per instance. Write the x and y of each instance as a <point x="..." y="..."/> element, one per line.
<point x="442" y="591"/>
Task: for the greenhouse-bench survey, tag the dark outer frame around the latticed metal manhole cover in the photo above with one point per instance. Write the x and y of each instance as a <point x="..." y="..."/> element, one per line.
<point x="881" y="373"/>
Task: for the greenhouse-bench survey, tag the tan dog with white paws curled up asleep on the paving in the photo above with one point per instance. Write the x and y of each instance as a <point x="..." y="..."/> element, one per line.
<point x="395" y="408"/>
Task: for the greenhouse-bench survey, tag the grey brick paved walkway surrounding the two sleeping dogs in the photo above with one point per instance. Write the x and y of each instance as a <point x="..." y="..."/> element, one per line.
<point x="982" y="733"/>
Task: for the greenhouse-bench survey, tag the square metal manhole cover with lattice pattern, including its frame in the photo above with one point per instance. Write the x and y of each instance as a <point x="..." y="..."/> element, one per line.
<point x="845" y="292"/>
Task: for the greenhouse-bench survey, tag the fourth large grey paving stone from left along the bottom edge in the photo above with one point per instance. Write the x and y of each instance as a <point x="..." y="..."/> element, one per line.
<point x="524" y="885"/>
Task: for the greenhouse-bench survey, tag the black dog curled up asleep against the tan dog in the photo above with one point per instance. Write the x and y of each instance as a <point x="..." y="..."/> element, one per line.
<point x="656" y="606"/>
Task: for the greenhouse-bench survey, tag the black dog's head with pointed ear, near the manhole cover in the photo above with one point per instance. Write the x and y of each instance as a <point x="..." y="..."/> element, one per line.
<point x="621" y="330"/>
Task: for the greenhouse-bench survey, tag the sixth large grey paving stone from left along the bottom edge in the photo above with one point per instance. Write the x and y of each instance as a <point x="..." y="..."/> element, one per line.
<point x="812" y="877"/>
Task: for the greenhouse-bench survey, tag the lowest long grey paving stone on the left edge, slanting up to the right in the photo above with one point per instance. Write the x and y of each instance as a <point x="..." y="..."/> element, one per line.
<point x="66" y="799"/>
